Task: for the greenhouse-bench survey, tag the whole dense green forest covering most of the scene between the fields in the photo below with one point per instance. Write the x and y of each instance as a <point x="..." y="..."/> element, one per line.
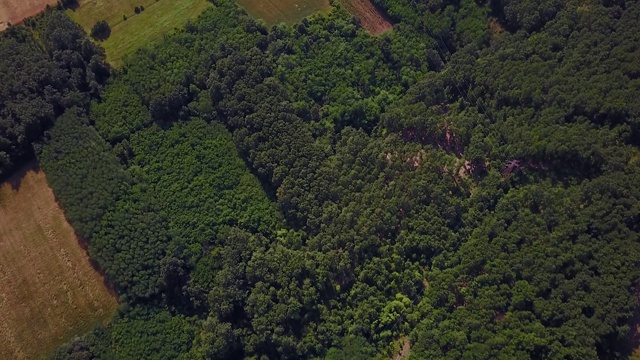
<point x="466" y="184"/>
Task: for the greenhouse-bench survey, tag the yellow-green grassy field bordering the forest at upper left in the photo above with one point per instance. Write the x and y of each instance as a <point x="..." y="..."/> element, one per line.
<point x="158" y="18"/>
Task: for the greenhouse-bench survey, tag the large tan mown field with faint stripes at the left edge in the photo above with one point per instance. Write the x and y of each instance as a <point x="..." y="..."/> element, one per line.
<point x="49" y="291"/>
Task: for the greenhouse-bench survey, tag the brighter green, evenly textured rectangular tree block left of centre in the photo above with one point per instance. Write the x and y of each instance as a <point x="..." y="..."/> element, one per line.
<point x="200" y="181"/>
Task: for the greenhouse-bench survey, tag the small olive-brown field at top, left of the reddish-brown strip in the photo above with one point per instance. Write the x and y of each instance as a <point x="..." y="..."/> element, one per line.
<point x="287" y="11"/>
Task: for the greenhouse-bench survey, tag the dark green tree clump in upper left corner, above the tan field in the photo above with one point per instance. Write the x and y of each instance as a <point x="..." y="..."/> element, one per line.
<point x="43" y="72"/>
